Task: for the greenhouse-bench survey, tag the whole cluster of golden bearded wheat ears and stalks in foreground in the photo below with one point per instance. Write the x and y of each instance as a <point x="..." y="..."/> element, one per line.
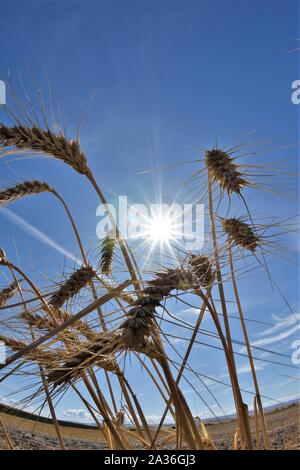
<point x="108" y="310"/>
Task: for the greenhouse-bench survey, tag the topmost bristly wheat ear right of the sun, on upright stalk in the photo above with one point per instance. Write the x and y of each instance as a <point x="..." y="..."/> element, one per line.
<point x="225" y="171"/>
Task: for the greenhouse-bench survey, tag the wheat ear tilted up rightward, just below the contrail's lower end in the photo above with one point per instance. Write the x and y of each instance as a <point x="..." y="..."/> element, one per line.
<point x="72" y="286"/>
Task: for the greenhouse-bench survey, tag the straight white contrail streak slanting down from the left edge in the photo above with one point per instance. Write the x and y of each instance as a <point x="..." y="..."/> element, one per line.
<point x="38" y="234"/>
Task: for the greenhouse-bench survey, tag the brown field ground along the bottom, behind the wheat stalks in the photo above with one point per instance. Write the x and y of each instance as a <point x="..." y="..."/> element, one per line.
<point x="283" y="427"/>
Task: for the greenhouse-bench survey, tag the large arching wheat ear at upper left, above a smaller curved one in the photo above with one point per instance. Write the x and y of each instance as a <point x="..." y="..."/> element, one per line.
<point x="38" y="140"/>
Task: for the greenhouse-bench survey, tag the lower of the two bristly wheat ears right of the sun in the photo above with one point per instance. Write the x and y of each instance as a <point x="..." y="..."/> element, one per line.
<point x="240" y="233"/>
